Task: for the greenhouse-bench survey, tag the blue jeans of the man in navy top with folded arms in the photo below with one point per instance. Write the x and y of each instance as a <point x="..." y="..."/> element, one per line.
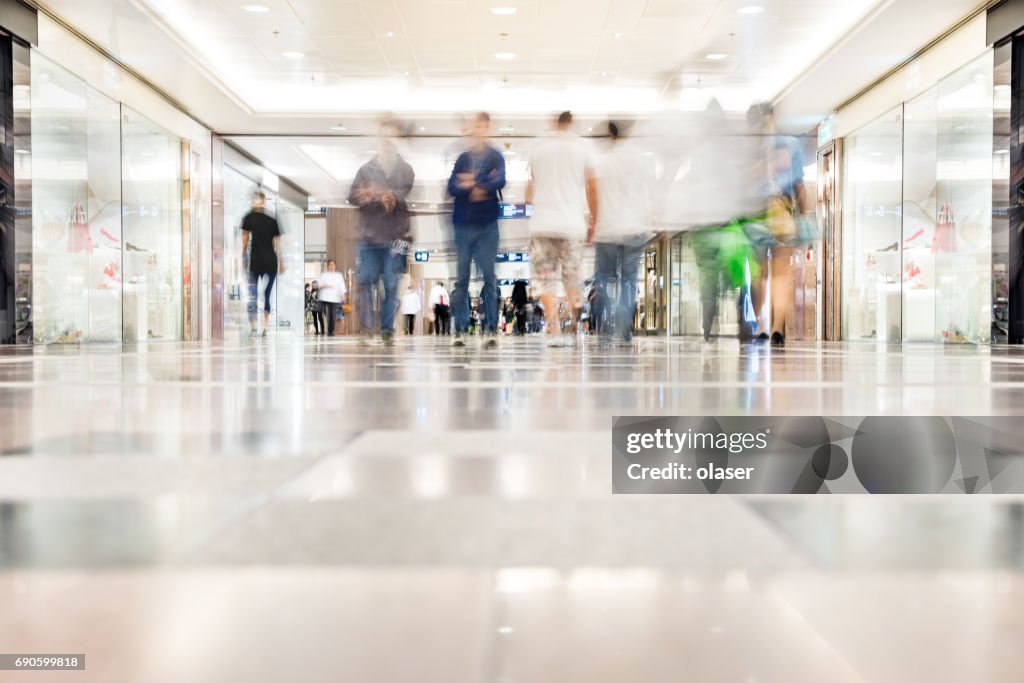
<point x="476" y="243"/>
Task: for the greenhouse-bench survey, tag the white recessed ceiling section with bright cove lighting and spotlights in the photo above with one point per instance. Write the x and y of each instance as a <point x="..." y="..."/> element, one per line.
<point x="440" y="56"/>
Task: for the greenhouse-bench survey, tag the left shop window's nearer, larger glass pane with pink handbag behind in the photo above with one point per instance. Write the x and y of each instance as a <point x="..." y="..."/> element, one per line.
<point x="76" y="237"/>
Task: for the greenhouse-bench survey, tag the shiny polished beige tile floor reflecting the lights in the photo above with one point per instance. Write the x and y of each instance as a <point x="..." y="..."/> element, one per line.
<point x="314" y="511"/>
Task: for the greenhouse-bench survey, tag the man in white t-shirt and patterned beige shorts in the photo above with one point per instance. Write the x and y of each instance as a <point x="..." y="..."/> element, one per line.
<point x="563" y="188"/>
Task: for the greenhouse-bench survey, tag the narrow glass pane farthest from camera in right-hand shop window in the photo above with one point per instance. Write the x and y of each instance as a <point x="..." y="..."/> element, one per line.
<point x="872" y="233"/>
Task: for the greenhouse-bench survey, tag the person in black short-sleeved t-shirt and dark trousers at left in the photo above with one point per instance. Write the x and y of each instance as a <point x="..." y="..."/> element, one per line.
<point x="262" y="245"/>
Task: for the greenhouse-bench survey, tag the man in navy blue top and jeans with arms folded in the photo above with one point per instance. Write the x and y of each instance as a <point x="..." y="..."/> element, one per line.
<point x="477" y="183"/>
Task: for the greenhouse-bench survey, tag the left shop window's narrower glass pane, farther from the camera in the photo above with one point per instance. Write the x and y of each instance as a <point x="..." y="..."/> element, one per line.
<point x="152" y="216"/>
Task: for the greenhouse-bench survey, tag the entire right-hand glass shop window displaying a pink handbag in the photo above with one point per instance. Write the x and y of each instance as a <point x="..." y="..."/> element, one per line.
<point x="918" y="217"/>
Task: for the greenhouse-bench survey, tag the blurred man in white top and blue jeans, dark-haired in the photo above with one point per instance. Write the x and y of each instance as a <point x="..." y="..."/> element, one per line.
<point x="626" y="179"/>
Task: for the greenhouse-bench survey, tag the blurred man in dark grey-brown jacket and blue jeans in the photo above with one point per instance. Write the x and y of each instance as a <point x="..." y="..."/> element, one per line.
<point x="379" y="191"/>
